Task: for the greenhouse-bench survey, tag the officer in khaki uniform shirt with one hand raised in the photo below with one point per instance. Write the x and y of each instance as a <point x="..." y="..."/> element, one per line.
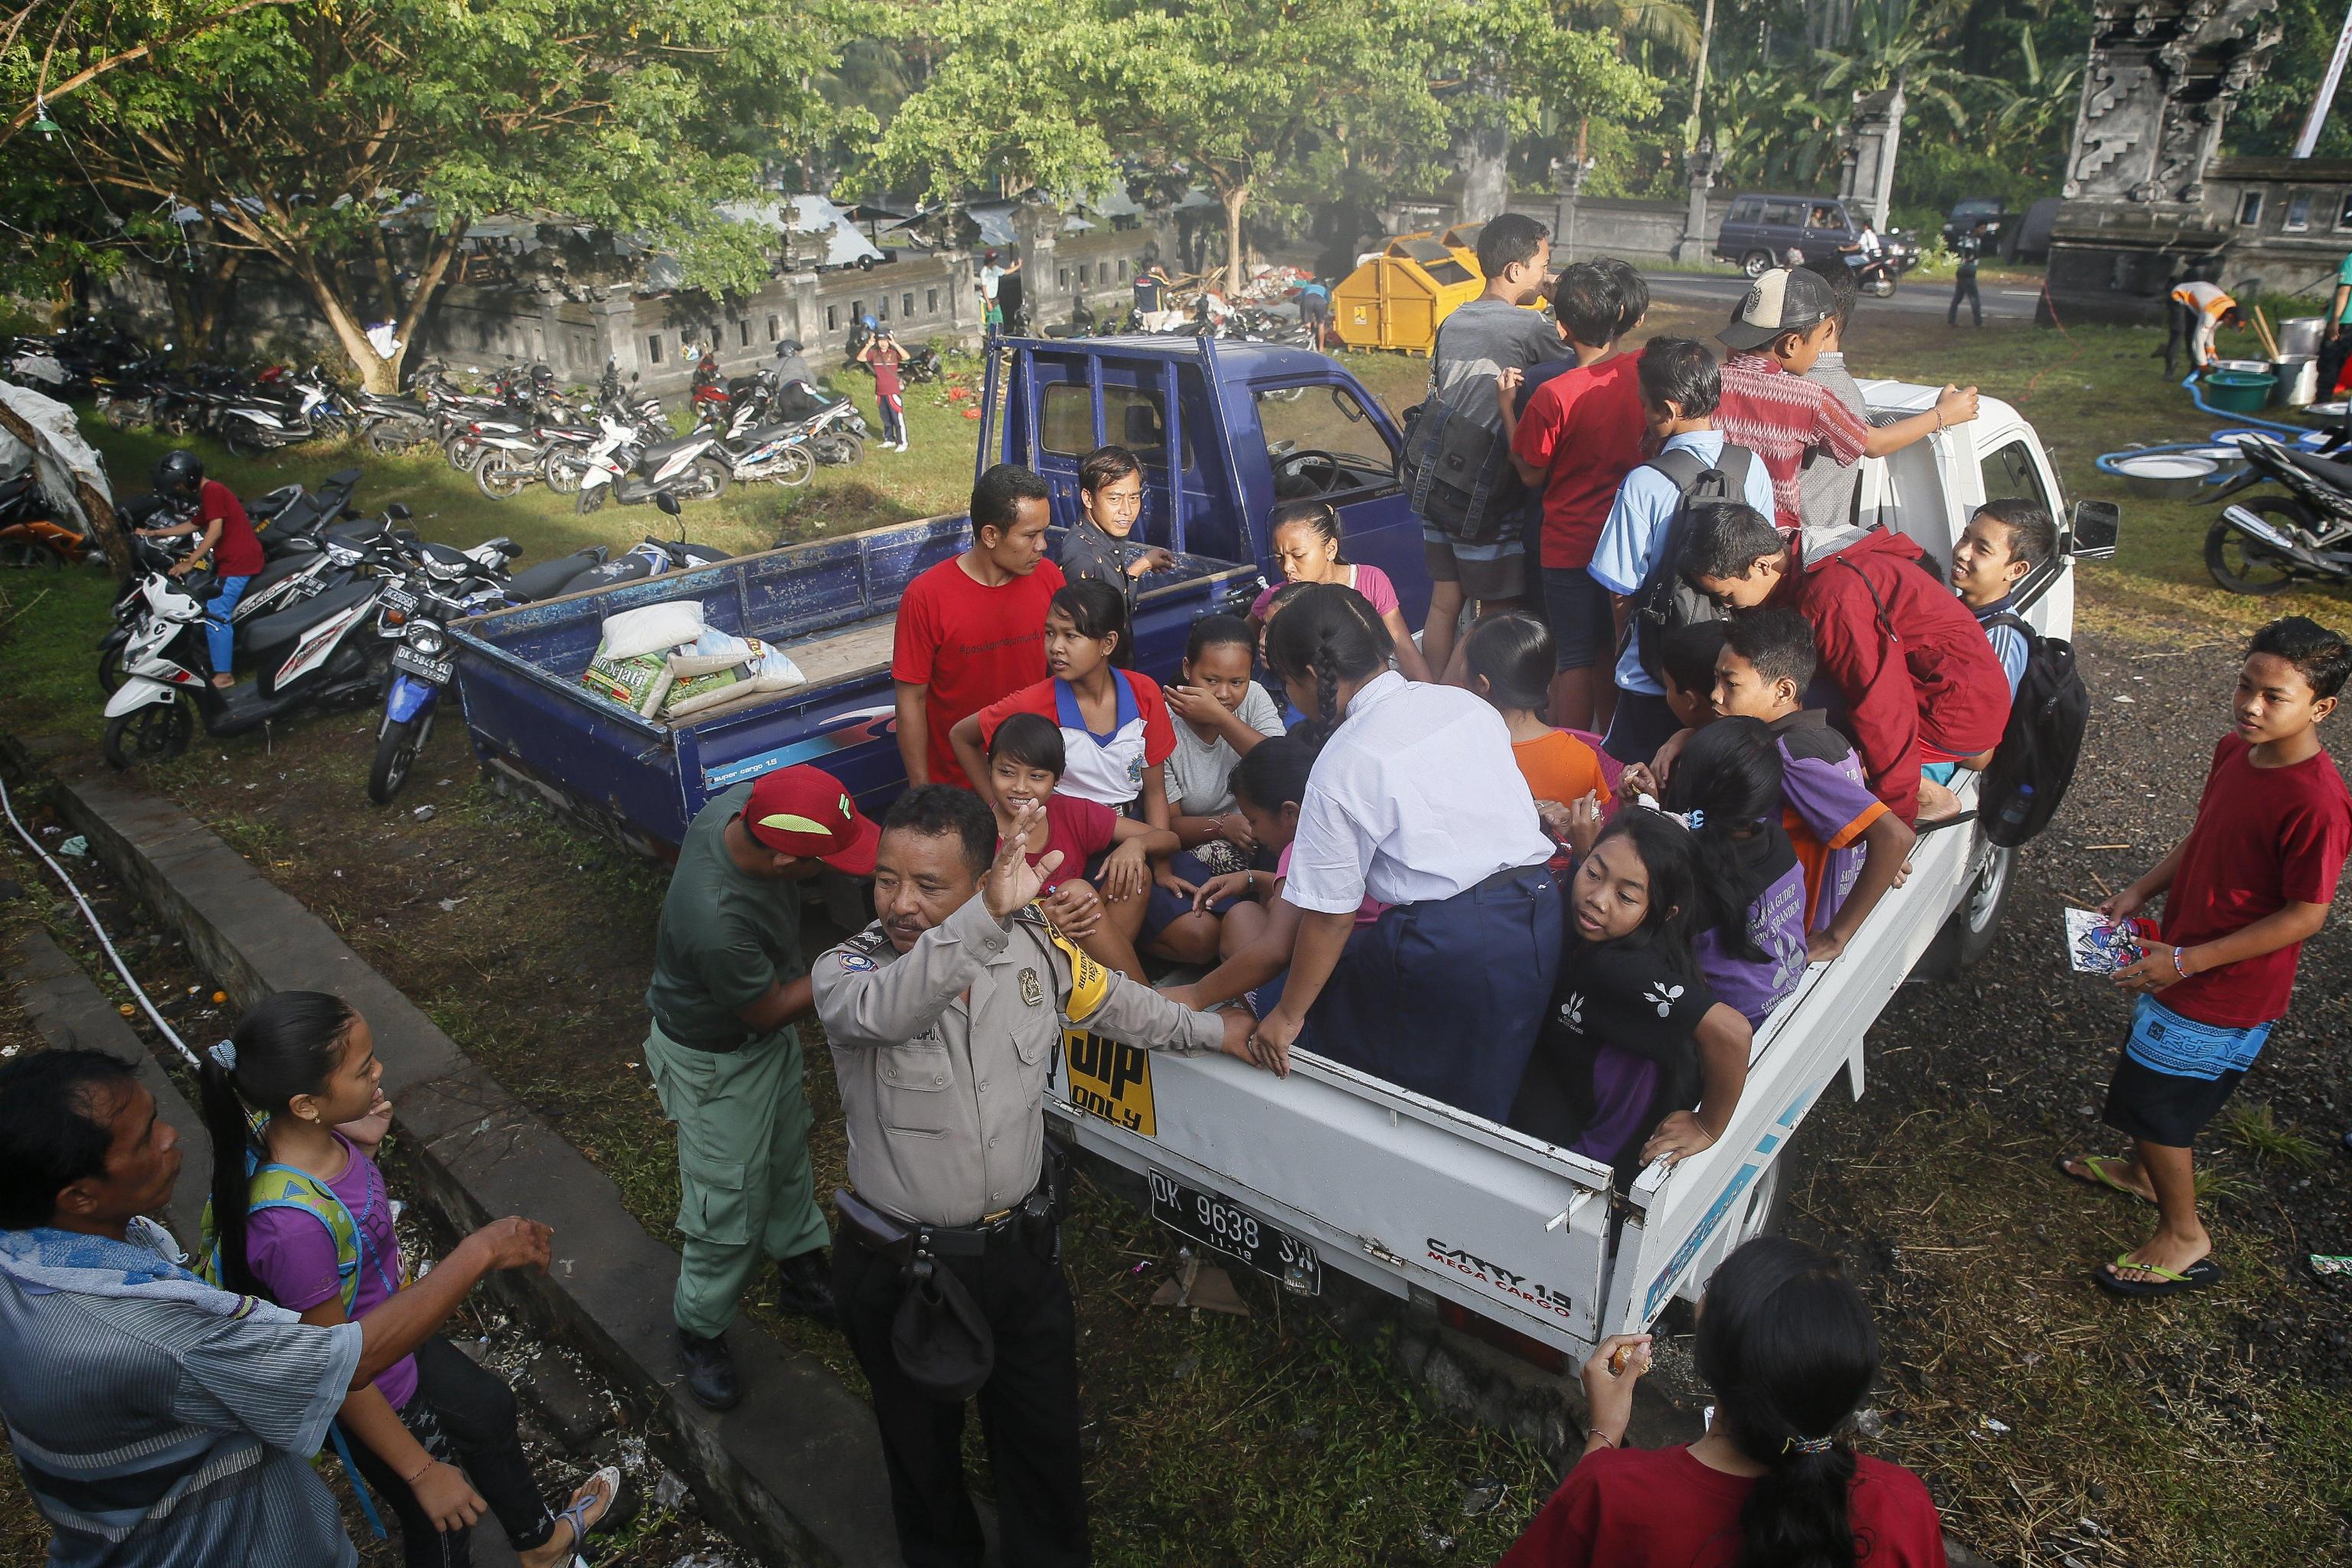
<point x="944" y="1019"/>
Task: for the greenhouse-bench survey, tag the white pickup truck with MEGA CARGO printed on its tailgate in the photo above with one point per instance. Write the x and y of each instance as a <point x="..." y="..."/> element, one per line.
<point x="1332" y="1170"/>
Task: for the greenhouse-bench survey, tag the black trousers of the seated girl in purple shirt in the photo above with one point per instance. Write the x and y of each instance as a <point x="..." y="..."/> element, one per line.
<point x="465" y="1416"/>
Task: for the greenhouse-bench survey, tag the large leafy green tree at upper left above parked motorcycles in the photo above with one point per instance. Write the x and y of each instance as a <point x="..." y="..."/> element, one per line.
<point x="354" y="142"/>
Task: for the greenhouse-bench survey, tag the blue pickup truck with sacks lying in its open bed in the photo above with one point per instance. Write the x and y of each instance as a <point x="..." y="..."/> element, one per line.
<point x="1224" y="434"/>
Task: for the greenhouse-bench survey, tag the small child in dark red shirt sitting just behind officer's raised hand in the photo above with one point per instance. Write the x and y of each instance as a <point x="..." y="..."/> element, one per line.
<point x="1024" y="765"/>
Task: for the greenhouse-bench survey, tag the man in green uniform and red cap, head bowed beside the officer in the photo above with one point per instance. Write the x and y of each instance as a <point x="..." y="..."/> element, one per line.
<point x="726" y="1057"/>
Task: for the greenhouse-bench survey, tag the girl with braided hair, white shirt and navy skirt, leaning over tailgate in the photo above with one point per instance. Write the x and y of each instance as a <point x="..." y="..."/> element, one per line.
<point x="1417" y="803"/>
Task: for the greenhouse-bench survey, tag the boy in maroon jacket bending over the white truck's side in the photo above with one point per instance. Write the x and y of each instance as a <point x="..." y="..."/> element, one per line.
<point x="1918" y="678"/>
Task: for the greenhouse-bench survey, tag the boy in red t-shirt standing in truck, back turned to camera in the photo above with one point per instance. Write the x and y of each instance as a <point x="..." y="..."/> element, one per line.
<point x="1577" y="438"/>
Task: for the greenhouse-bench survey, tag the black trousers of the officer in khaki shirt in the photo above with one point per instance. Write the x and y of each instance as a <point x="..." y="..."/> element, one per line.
<point x="1029" y="1409"/>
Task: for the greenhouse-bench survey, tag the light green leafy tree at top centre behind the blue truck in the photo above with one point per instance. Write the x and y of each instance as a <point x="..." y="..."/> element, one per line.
<point x="1071" y="95"/>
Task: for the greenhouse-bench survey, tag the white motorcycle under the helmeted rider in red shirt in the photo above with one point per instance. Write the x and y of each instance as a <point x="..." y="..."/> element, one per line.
<point x="307" y="657"/>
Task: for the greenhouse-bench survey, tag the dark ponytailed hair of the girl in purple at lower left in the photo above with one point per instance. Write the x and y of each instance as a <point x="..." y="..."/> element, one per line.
<point x="288" y="1045"/>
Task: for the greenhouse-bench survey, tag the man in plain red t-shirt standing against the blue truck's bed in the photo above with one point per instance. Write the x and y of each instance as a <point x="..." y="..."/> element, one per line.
<point x="973" y="629"/>
